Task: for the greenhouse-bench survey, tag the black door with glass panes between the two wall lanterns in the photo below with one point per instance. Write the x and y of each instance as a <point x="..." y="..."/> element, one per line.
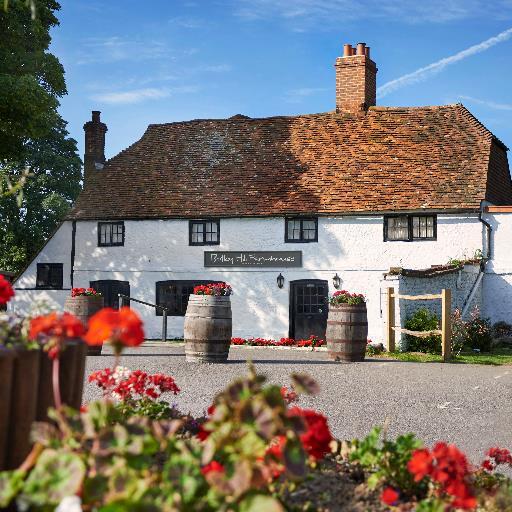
<point x="308" y="308"/>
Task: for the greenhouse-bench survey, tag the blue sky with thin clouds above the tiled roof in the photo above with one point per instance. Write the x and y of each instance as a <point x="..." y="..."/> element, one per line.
<point x="143" y="62"/>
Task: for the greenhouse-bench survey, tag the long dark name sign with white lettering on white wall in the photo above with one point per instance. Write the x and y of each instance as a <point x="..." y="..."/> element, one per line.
<point x="268" y="259"/>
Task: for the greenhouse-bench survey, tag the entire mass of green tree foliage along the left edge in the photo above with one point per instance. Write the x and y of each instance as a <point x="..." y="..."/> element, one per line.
<point x="32" y="133"/>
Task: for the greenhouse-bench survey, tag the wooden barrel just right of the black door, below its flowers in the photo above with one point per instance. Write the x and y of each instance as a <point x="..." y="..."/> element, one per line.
<point x="347" y="332"/>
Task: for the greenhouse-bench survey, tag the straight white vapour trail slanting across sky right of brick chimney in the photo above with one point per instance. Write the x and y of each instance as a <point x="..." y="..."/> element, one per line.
<point x="425" y="72"/>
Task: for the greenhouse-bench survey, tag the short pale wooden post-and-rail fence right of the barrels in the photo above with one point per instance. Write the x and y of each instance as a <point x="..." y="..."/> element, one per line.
<point x="446" y="326"/>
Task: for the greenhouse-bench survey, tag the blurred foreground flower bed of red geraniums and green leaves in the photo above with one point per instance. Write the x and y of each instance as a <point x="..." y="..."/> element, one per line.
<point x="255" y="448"/>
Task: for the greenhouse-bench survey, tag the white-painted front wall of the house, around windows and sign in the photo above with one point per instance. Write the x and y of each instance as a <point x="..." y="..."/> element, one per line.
<point x="154" y="251"/>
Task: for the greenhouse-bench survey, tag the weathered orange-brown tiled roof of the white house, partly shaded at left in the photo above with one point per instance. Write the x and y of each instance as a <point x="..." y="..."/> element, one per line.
<point x="388" y="159"/>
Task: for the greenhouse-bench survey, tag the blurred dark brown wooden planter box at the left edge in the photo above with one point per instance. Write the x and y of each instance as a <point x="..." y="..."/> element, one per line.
<point x="26" y="394"/>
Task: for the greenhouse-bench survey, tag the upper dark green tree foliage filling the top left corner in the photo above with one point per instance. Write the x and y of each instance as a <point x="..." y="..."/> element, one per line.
<point x="31" y="78"/>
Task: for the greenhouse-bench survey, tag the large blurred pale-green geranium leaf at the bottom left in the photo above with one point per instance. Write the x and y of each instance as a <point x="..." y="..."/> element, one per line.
<point x="55" y="476"/>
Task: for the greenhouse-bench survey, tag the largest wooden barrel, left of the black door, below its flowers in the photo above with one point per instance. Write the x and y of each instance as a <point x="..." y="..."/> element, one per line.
<point x="208" y="328"/>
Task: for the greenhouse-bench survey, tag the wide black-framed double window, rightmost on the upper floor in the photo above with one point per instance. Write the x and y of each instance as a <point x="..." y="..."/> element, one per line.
<point x="410" y="227"/>
